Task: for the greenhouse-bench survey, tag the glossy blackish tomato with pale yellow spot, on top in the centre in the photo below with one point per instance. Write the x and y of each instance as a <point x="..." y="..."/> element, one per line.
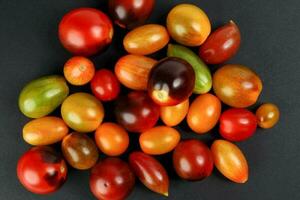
<point x="171" y="81"/>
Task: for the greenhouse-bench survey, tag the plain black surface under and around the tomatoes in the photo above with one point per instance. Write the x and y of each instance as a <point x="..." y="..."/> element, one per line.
<point x="270" y="45"/>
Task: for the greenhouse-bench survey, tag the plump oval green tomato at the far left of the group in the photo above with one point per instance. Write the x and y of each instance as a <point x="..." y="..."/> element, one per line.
<point x="42" y="96"/>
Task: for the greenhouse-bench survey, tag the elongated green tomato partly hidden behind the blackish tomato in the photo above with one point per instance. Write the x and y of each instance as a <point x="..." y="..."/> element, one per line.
<point x="203" y="81"/>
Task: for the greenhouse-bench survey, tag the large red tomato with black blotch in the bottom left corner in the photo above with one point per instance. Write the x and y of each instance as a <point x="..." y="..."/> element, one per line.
<point x="41" y="170"/>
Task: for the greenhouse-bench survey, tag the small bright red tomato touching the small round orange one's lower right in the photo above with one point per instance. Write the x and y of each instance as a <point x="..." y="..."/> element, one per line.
<point x="105" y="85"/>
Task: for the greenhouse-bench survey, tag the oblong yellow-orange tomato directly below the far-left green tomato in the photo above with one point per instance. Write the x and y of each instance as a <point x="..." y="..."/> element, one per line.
<point x="45" y="131"/>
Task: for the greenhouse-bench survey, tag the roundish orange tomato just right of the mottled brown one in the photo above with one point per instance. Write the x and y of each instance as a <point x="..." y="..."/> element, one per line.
<point x="112" y="139"/>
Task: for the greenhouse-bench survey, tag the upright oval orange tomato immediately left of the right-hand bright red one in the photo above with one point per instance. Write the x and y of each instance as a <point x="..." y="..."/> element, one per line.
<point x="204" y="113"/>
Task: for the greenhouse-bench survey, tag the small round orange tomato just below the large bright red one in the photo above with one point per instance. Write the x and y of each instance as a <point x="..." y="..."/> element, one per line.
<point x="79" y="70"/>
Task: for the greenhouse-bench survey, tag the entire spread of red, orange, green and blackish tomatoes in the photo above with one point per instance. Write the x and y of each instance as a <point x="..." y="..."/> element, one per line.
<point x="158" y="89"/>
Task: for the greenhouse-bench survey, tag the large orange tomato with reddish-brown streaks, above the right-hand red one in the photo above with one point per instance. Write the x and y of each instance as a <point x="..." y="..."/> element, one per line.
<point x="237" y="85"/>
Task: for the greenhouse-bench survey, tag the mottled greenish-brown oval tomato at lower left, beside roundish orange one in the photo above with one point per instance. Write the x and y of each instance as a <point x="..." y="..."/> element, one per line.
<point x="79" y="150"/>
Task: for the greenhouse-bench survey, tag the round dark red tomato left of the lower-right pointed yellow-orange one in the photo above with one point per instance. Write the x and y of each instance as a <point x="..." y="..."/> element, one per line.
<point x="193" y="160"/>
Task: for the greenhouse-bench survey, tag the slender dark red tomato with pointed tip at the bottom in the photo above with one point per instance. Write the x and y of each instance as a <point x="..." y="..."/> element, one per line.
<point x="150" y="172"/>
